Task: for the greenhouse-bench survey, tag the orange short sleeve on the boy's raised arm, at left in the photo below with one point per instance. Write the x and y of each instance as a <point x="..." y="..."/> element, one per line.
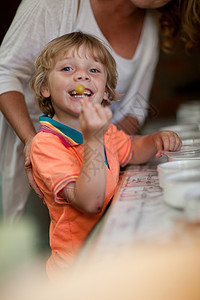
<point x="54" y="165"/>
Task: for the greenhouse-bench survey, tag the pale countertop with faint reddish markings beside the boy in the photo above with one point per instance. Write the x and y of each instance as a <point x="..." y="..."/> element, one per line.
<point x="138" y="214"/>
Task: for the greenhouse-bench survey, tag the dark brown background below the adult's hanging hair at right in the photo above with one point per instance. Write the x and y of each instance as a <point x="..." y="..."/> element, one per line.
<point x="177" y="81"/>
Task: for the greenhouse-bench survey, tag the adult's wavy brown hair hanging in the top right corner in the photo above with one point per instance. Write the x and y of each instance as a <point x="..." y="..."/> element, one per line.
<point x="179" y="20"/>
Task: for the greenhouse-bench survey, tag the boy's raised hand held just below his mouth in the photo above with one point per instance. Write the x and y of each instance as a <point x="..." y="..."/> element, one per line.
<point x="94" y="119"/>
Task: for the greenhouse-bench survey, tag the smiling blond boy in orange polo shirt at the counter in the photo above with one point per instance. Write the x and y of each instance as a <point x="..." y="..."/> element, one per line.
<point x="77" y="154"/>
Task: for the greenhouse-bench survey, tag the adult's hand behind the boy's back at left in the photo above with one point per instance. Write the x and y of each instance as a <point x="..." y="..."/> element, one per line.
<point x="29" y="170"/>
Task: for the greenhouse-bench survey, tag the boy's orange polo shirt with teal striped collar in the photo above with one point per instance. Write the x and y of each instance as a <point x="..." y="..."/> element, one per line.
<point x="56" y="156"/>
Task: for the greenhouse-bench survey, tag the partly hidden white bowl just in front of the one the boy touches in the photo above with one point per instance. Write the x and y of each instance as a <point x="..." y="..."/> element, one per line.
<point x="167" y="168"/>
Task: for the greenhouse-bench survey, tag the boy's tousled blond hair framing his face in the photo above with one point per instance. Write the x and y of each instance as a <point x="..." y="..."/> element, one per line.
<point x="61" y="44"/>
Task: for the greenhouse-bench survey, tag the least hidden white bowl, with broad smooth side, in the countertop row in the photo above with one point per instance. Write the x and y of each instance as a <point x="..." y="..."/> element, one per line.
<point x="176" y="186"/>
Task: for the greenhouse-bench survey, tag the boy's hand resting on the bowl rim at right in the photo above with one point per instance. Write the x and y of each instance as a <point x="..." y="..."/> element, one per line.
<point x="167" y="141"/>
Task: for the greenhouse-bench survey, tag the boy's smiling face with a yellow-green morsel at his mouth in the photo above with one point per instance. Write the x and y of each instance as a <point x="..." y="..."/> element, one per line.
<point x="68" y="70"/>
